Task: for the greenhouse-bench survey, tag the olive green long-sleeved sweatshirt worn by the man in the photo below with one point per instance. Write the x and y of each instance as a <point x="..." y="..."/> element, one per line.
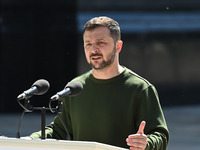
<point x="107" y="111"/>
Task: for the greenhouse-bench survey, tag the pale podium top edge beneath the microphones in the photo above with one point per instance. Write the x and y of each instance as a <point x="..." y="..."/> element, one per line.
<point x="52" y="144"/>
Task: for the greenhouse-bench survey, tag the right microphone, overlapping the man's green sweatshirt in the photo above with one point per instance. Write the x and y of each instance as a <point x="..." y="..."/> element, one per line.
<point x="73" y="88"/>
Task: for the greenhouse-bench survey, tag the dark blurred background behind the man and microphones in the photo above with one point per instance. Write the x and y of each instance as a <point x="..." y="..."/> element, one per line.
<point x="42" y="39"/>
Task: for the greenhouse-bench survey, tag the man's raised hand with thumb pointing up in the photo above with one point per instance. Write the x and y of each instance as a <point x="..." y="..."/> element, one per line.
<point x="138" y="141"/>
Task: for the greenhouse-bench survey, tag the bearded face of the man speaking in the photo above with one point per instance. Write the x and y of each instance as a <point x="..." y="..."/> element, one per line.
<point x="100" y="49"/>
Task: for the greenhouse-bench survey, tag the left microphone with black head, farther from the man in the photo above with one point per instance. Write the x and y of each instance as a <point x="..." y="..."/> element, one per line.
<point x="38" y="88"/>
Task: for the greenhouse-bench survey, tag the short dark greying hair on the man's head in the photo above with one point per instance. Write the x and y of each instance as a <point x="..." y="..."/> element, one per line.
<point x="111" y="24"/>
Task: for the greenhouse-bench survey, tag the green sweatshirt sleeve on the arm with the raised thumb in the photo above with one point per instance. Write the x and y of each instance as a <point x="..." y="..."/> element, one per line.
<point x="149" y="110"/>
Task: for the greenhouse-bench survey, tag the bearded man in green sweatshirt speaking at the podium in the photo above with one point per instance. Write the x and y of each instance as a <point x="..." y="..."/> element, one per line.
<point x="116" y="106"/>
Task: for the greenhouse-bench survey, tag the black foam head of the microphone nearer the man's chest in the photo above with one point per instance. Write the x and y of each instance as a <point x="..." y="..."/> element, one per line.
<point x="75" y="87"/>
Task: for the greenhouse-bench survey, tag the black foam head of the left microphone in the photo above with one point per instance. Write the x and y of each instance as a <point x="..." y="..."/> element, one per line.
<point x="42" y="86"/>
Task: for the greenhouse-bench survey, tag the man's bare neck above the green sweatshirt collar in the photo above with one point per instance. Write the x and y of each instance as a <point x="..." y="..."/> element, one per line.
<point x="107" y="73"/>
